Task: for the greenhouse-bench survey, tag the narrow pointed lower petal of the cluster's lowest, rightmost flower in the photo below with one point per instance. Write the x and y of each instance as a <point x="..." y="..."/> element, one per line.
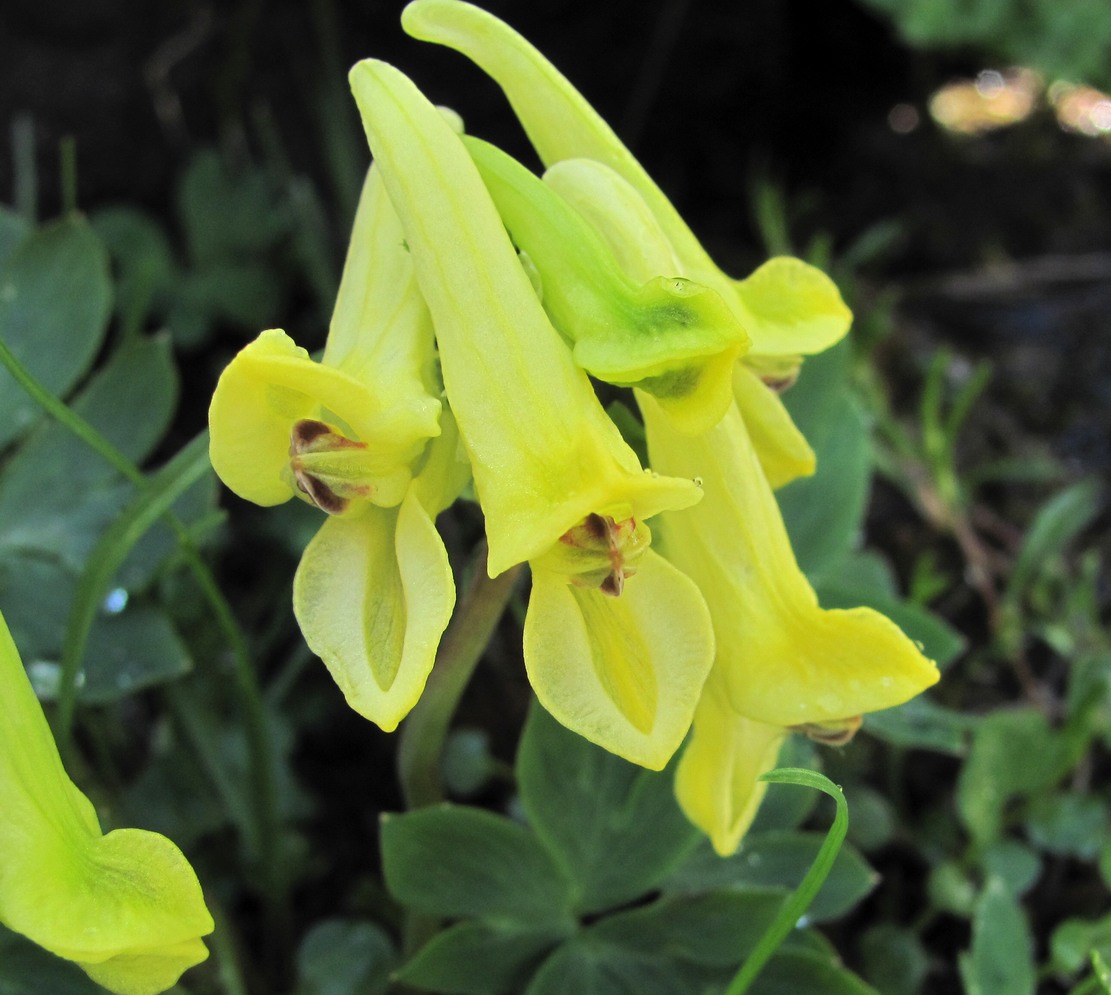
<point x="716" y="782"/>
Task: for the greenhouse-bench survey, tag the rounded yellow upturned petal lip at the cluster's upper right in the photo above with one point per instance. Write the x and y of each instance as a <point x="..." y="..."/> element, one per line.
<point x="792" y="308"/>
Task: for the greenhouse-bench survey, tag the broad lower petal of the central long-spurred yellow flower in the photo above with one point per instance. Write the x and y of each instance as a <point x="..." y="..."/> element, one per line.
<point x="625" y="672"/>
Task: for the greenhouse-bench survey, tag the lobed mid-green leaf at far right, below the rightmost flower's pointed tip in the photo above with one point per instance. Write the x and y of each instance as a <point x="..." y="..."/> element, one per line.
<point x="1015" y="755"/>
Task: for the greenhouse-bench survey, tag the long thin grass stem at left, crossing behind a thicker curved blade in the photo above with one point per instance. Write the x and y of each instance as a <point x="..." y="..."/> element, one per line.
<point x="251" y="697"/>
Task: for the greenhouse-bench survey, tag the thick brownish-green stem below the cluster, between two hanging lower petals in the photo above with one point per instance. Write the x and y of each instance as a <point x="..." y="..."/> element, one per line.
<point x="425" y="731"/>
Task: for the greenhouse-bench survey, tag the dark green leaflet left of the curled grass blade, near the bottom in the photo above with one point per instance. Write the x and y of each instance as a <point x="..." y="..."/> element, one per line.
<point x="715" y="930"/>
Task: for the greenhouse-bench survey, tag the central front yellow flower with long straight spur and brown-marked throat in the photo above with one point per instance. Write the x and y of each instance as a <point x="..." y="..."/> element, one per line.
<point x="617" y="641"/>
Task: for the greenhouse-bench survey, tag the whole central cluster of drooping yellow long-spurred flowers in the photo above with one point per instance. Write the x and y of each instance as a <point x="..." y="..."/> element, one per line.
<point x="477" y="301"/>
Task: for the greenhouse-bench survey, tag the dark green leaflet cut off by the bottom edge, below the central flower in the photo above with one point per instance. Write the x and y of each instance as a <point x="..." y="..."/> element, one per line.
<point x="588" y="968"/>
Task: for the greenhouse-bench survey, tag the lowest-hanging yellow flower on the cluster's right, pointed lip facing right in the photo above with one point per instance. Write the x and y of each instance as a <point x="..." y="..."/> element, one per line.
<point x="783" y="661"/>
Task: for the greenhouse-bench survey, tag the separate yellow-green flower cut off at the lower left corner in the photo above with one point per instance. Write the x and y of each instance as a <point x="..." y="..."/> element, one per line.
<point x="125" y="907"/>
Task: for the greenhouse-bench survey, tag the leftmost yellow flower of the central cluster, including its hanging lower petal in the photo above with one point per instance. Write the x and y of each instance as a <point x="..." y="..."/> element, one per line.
<point x="352" y="435"/>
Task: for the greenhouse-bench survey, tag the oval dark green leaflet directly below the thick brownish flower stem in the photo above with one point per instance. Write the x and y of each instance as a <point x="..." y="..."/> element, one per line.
<point x="453" y="861"/>
